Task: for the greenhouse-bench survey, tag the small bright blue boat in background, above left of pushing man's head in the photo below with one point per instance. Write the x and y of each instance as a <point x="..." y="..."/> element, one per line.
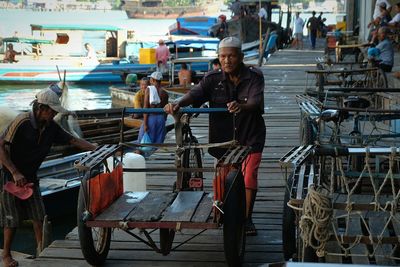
<point x="197" y="25"/>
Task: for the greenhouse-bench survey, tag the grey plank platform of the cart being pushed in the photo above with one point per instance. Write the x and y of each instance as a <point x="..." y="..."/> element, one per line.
<point x="158" y="210"/>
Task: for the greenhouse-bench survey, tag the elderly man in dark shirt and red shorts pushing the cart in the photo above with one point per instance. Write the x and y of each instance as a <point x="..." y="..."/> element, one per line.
<point x="241" y="90"/>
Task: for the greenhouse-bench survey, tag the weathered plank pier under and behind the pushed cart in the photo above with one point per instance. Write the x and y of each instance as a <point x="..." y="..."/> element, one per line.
<point x="284" y="77"/>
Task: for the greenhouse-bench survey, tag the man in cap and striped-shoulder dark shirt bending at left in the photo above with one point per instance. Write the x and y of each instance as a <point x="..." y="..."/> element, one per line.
<point x="24" y="145"/>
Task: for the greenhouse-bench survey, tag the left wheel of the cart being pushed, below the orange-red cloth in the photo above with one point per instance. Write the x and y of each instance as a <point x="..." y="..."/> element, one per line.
<point x="95" y="241"/>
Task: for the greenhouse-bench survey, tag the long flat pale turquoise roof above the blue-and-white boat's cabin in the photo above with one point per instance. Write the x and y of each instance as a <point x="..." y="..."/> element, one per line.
<point x="73" y="27"/>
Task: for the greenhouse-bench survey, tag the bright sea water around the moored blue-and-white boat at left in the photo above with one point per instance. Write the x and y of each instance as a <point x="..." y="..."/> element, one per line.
<point x="16" y="22"/>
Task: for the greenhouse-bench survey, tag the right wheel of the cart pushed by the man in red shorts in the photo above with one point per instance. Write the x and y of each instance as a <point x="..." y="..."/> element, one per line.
<point x="234" y="218"/>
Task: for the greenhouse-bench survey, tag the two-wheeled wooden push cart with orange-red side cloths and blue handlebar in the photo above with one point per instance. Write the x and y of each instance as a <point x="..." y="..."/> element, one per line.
<point x="103" y="206"/>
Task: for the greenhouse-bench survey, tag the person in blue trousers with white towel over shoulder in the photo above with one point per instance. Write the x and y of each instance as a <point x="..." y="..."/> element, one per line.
<point x="155" y="97"/>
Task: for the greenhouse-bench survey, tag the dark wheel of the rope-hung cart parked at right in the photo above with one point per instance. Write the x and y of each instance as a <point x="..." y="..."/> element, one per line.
<point x="289" y="226"/>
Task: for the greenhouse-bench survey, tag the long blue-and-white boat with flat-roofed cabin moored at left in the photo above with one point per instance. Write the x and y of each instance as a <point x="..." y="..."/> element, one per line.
<point x="55" y="48"/>
